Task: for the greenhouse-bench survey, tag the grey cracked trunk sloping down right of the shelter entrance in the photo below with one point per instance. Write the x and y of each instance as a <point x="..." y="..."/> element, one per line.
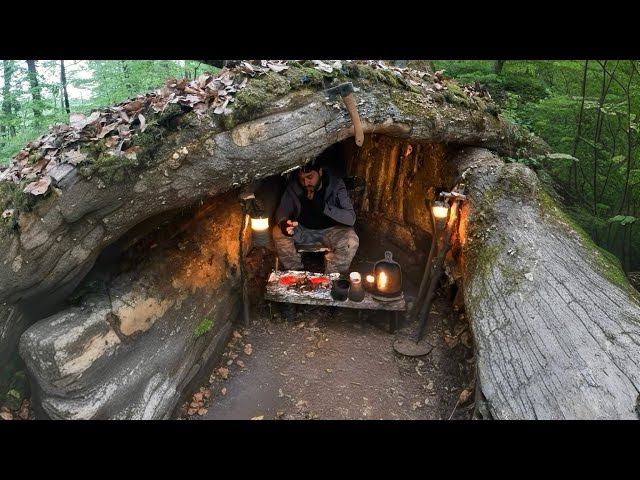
<point x="556" y="324"/>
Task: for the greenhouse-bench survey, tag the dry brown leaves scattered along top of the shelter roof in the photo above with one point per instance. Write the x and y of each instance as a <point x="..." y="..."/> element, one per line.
<point x="58" y="151"/>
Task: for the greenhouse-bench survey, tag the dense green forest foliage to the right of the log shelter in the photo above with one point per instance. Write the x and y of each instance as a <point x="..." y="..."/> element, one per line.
<point x="592" y="167"/>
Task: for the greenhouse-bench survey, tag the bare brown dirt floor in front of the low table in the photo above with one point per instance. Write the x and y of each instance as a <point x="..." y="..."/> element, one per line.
<point x="332" y="364"/>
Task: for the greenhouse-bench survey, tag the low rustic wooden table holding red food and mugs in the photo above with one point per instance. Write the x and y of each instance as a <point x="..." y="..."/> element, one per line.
<point x="279" y="292"/>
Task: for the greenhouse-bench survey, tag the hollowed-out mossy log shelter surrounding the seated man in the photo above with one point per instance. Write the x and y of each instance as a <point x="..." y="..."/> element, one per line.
<point x="120" y="233"/>
